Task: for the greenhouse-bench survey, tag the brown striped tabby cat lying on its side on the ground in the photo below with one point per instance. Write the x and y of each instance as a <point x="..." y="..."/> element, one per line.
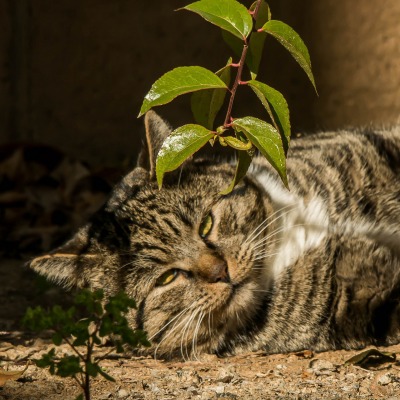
<point x="262" y="268"/>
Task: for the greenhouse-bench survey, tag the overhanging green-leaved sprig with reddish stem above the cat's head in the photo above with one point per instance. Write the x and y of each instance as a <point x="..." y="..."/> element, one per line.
<point x="245" y="31"/>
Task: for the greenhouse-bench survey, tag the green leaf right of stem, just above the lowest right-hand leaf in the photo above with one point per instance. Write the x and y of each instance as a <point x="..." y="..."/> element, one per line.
<point x="277" y="108"/>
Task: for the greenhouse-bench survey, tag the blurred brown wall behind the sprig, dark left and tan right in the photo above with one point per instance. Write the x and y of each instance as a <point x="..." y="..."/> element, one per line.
<point x="73" y="73"/>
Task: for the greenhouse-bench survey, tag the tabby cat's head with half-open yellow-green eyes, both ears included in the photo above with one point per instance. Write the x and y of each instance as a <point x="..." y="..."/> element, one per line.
<point x="188" y="255"/>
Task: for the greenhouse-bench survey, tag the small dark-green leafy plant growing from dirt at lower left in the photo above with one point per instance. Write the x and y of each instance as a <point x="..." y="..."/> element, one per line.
<point x="100" y="320"/>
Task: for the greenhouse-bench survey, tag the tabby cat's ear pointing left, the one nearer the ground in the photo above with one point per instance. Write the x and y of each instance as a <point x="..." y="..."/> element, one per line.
<point x="67" y="264"/>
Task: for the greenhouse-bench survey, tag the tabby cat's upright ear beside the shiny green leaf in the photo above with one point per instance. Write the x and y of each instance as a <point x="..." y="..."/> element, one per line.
<point x="157" y="131"/>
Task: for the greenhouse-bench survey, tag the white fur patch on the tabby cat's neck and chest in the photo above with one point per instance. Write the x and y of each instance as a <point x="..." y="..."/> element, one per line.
<point x="303" y="226"/>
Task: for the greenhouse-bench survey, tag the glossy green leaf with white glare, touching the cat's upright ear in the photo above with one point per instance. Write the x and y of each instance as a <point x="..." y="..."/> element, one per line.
<point x="179" y="146"/>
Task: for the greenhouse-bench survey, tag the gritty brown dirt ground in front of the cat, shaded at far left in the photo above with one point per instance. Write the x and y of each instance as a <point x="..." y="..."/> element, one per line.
<point x="249" y="376"/>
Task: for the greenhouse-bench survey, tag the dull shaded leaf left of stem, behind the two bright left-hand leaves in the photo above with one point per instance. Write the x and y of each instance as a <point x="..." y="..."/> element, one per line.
<point x="207" y="103"/>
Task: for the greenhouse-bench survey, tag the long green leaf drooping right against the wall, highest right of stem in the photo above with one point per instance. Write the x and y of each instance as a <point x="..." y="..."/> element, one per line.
<point x="291" y="40"/>
